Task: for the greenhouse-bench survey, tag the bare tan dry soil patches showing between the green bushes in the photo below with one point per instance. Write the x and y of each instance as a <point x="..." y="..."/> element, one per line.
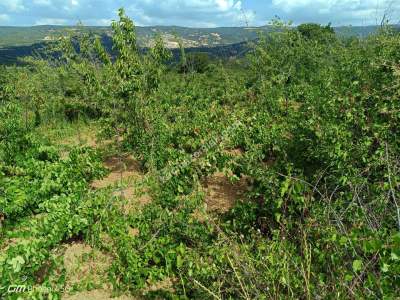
<point x="87" y="265"/>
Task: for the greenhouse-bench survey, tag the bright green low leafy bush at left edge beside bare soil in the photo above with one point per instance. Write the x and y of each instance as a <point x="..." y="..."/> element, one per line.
<point x="42" y="197"/>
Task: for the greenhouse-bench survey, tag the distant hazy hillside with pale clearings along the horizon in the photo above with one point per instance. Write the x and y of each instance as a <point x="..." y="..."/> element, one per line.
<point x="17" y="42"/>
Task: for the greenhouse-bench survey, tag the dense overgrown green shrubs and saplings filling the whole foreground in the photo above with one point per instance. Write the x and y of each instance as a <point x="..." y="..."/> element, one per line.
<point x="298" y="142"/>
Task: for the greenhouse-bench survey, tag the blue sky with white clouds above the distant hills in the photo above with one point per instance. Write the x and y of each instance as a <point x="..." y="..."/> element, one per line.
<point x="197" y="13"/>
